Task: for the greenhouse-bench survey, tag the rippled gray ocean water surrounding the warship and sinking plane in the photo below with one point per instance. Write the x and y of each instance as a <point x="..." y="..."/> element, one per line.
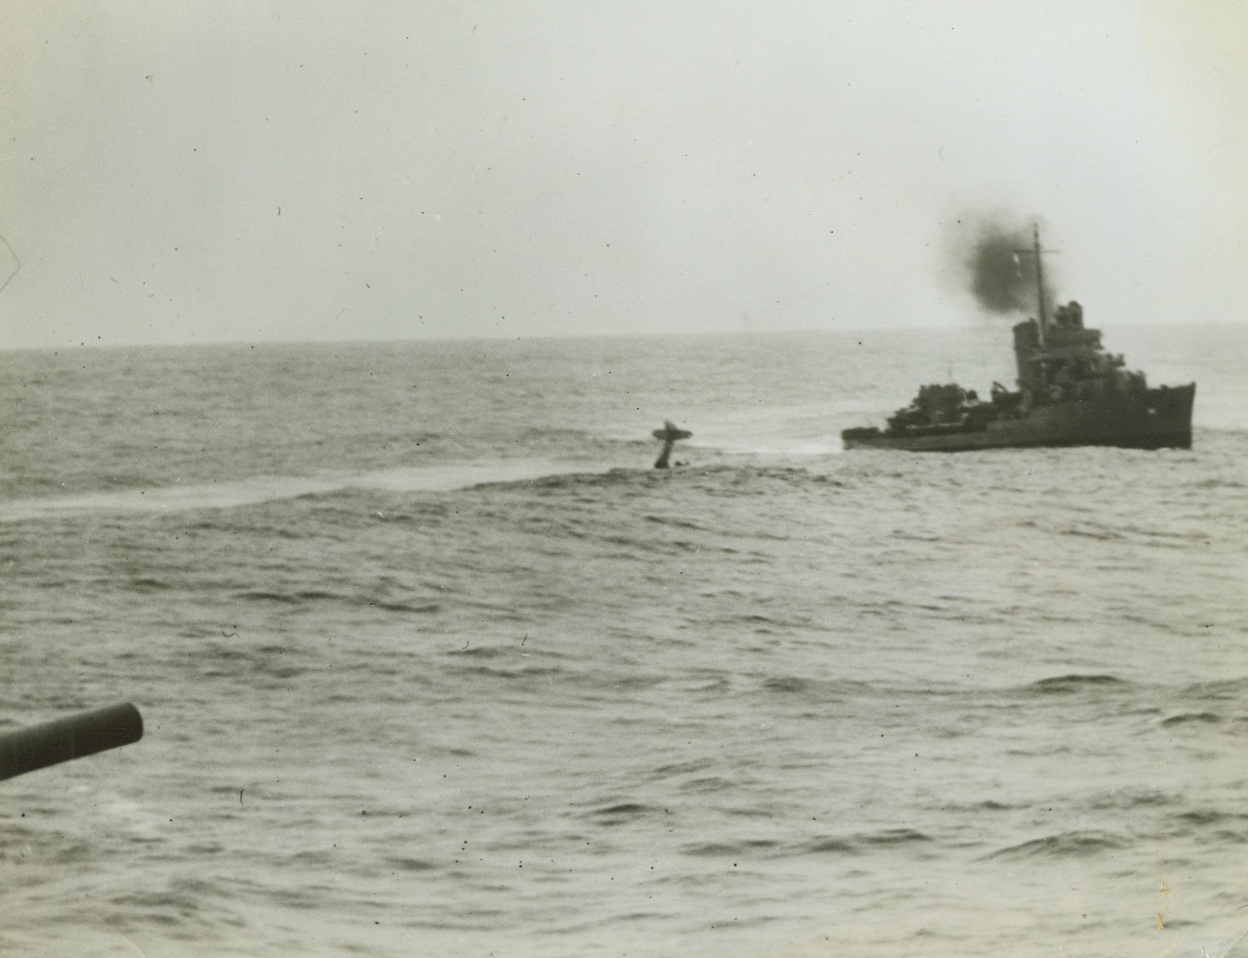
<point x="432" y="663"/>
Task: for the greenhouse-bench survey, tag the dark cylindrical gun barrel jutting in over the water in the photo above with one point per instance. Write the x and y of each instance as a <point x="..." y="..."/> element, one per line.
<point x="67" y="739"/>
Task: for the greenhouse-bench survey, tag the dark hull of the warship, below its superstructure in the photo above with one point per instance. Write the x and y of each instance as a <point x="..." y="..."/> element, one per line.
<point x="1154" y="420"/>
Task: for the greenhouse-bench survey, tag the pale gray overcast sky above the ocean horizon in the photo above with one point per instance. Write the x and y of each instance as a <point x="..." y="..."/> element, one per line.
<point x="254" y="172"/>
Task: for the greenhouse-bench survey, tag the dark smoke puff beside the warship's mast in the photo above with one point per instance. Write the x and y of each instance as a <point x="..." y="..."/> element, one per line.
<point x="998" y="264"/>
